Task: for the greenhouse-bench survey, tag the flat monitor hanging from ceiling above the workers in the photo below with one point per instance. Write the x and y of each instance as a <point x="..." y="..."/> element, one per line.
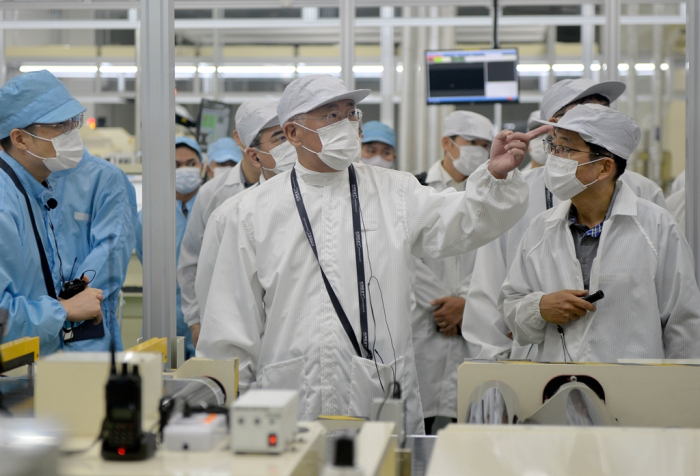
<point x="455" y="77"/>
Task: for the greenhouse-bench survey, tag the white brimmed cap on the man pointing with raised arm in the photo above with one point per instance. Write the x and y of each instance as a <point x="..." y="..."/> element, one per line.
<point x="310" y="92"/>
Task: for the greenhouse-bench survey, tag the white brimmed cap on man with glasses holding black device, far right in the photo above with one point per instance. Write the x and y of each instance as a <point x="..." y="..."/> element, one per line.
<point x="603" y="126"/>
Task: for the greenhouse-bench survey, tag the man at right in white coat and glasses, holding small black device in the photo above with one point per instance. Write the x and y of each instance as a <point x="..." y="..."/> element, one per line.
<point x="601" y="237"/>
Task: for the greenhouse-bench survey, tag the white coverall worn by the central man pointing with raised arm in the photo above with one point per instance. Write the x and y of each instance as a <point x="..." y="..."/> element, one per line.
<point x="268" y="306"/>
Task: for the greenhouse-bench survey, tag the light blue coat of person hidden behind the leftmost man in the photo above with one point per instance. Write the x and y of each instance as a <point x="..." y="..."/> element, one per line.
<point x="95" y="228"/>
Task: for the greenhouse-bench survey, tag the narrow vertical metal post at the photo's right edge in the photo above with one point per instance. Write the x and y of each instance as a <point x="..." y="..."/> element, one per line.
<point x="692" y="131"/>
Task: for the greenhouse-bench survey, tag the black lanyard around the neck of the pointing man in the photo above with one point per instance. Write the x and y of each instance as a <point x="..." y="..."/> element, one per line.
<point x="359" y="260"/>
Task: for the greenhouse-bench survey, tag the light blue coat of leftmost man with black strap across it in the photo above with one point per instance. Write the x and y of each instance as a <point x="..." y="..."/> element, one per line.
<point x="32" y="313"/>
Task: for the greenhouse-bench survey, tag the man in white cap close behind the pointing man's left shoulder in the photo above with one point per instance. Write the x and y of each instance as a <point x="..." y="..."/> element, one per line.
<point x="256" y="126"/>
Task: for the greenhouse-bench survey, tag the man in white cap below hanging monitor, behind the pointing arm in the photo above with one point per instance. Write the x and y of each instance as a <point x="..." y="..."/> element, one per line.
<point x="442" y="284"/>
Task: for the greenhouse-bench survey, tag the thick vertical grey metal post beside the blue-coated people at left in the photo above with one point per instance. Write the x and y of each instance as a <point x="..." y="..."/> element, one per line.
<point x="158" y="152"/>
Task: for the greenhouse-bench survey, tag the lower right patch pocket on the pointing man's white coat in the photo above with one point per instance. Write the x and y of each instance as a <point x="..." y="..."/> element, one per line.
<point x="365" y="383"/>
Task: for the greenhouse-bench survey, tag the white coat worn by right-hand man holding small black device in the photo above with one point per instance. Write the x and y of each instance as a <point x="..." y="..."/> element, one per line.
<point x="651" y="308"/>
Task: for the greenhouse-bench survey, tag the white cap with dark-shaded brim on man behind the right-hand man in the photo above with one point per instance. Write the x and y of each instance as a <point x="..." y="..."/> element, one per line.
<point x="567" y="91"/>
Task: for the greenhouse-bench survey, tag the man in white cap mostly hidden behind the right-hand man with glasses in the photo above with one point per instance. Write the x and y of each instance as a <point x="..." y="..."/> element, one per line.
<point x="485" y="329"/>
